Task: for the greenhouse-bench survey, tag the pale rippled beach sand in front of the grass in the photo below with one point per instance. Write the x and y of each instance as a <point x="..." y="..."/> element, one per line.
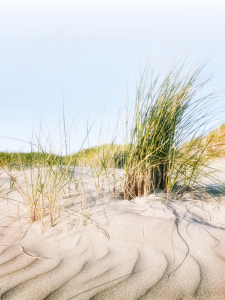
<point x="146" y="248"/>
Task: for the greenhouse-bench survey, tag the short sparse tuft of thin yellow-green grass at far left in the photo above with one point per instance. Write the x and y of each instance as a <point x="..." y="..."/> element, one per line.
<point x="40" y="182"/>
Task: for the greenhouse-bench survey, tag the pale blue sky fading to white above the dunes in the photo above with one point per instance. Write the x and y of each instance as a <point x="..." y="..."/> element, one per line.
<point x="89" y="55"/>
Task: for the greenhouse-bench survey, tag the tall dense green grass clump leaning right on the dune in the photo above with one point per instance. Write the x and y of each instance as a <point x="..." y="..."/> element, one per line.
<point x="165" y="148"/>
